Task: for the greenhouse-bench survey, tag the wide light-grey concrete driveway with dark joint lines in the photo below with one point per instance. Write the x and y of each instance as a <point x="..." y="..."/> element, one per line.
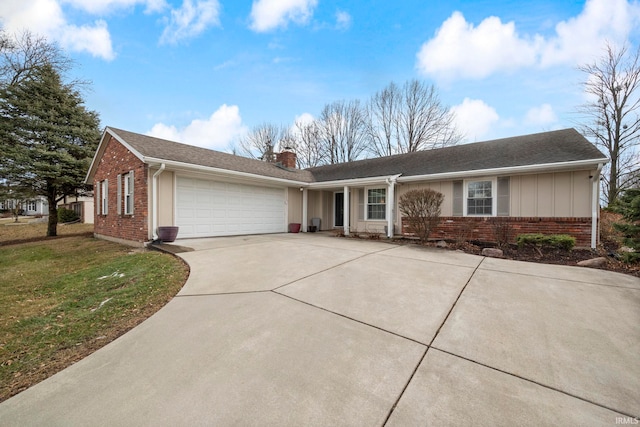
<point x="309" y="329"/>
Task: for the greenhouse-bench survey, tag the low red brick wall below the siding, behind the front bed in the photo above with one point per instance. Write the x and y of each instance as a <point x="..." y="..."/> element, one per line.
<point x="484" y="229"/>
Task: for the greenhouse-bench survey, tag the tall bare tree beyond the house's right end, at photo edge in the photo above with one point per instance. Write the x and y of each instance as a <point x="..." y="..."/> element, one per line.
<point x="614" y="122"/>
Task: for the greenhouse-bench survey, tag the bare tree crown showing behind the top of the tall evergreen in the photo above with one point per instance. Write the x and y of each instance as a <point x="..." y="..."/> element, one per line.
<point x="22" y="53"/>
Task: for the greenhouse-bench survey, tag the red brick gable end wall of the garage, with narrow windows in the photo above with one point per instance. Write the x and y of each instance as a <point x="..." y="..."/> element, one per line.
<point x="134" y="228"/>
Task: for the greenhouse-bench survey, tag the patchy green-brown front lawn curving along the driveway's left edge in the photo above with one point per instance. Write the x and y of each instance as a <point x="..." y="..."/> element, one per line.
<point x="62" y="299"/>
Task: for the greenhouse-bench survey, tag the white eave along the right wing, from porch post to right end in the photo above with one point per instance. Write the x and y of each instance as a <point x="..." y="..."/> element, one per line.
<point x="546" y="167"/>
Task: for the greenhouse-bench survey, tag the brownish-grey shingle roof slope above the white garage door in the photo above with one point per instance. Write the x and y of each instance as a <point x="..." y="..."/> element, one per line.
<point x="149" y="146"/>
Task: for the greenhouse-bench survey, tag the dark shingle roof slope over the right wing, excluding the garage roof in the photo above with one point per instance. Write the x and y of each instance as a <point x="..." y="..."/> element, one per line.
<point x="541" y="148"/>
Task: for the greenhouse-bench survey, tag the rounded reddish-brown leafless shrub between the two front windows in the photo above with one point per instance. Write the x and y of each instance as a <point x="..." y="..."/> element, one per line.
<point x="422" y="210"/>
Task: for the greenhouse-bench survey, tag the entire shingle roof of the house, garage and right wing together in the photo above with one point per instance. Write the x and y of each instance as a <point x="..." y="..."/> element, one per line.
<point x="541" y="148"/>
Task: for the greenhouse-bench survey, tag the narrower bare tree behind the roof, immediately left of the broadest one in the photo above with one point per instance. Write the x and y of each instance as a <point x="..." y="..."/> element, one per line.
<point x="343" y="131"/>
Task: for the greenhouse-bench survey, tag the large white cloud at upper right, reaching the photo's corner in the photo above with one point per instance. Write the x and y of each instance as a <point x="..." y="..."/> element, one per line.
<point x="462" y="50"/>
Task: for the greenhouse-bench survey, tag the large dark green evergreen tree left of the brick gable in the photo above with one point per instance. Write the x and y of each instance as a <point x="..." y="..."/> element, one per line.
<point x="47" y="137"/>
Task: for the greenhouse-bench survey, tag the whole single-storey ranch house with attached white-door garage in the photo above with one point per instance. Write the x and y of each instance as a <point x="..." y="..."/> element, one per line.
<point x="546" y="182"/>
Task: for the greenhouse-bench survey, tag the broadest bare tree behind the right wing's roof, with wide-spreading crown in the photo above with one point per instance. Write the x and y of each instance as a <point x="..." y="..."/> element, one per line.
<point x="408" y="119"/>
